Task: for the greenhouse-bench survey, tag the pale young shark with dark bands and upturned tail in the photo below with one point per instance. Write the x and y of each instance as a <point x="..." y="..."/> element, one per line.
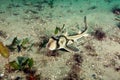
<point x="64" y="40"/>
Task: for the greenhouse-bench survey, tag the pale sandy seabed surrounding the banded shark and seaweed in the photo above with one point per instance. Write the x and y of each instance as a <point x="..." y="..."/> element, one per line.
<point x="23" y="19"/>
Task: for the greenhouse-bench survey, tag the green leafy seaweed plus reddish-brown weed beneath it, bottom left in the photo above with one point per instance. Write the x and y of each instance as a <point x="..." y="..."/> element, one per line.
<point x="25" y="65"/>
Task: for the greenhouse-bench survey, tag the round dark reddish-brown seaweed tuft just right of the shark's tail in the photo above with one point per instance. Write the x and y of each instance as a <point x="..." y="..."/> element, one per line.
<point x="99" y="34"/>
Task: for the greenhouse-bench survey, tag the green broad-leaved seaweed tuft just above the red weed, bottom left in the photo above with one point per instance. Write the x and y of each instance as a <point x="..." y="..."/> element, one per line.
<point x="21" y="64"/>
